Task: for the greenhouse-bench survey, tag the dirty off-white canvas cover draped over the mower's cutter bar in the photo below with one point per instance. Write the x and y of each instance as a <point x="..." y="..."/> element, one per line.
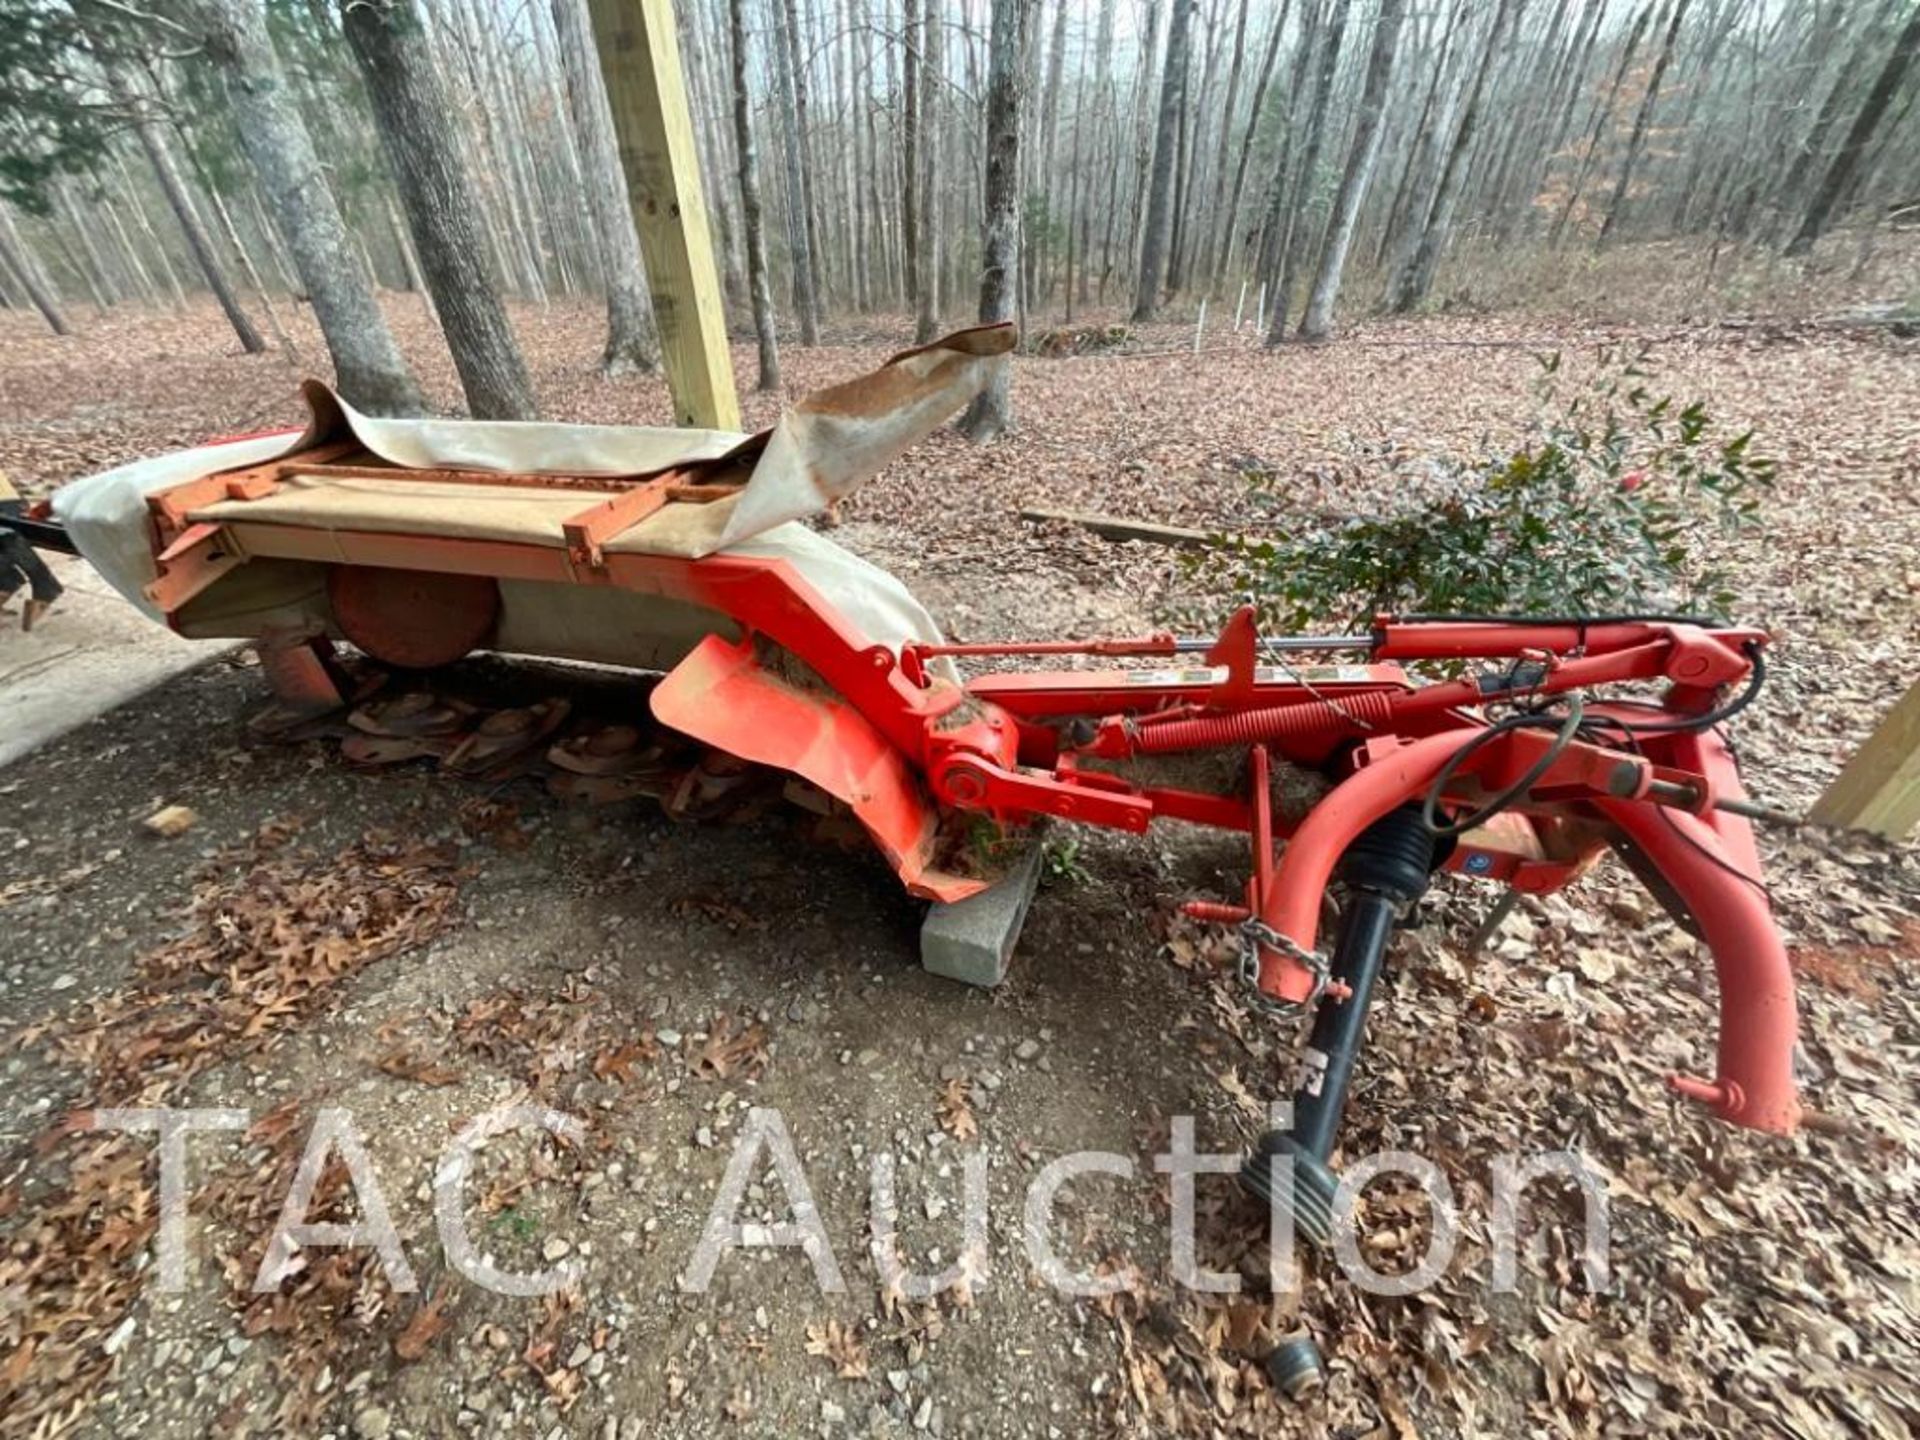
<point x="819" y="452"/>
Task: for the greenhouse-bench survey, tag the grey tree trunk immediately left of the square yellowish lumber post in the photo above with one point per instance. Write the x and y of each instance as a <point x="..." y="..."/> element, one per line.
<point x="633" y="343"/>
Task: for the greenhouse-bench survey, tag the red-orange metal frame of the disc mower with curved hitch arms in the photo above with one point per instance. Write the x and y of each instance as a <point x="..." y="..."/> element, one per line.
<point x="1518" y="771"/>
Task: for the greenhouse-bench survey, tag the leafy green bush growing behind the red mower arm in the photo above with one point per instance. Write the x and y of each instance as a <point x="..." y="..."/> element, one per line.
<point x="1610" y="506"/>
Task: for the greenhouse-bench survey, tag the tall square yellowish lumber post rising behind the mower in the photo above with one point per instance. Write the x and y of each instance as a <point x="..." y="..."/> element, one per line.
<point x="640" y="60"/>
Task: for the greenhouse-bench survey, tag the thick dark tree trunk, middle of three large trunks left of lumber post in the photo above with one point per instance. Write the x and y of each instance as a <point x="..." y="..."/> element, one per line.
<point x="410" y="108"/>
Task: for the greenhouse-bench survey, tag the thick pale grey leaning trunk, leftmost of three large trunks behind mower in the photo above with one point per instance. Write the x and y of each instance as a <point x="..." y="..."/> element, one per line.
<point x="368" y="364"/>
